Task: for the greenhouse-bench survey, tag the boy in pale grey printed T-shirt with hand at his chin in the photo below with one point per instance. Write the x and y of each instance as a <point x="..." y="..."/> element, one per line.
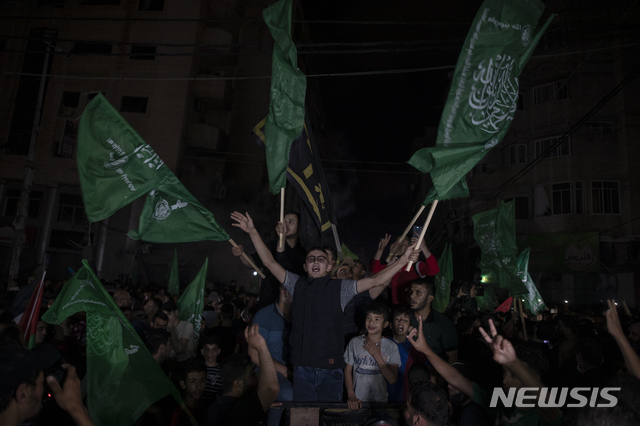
<point x="372" y="360"/>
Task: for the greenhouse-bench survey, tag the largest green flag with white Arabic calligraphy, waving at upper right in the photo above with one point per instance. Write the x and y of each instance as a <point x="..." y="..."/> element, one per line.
<point x="484" y="93"/>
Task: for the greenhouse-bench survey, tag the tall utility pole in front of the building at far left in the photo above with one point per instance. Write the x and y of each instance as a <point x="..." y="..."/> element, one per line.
<point x="23" y="202"/>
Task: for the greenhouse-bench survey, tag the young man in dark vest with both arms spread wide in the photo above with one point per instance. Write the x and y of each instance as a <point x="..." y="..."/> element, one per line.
<point x="317" y="315"/>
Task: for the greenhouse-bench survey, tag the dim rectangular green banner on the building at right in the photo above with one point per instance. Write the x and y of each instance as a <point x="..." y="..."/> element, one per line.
<point x="564" y="253"/>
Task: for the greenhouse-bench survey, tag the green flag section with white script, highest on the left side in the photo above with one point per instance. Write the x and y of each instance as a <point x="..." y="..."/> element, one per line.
<point x="115" y="165"/>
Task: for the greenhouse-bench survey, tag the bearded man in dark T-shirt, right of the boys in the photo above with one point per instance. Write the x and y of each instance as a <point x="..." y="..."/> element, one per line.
<point x="438" y="329"/>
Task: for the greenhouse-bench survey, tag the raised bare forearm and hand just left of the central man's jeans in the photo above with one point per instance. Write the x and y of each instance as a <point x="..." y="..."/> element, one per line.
<point x="268" y="386"/>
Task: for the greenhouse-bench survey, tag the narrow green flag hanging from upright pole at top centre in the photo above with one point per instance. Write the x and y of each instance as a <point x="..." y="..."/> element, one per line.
<point x="288" y="86"/>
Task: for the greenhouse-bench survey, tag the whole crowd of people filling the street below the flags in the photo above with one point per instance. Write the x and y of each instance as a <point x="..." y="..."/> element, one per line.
<point x="324" y="329"/>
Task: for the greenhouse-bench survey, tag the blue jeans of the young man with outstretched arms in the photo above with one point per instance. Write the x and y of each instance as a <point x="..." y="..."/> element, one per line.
<point x="317" y="384"/>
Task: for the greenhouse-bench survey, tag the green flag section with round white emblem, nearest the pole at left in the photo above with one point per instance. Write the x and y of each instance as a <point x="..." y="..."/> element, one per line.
<point x="172" y="215"/>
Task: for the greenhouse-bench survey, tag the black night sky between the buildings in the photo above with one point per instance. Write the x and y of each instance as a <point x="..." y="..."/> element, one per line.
<point x="375" y="118"/>
